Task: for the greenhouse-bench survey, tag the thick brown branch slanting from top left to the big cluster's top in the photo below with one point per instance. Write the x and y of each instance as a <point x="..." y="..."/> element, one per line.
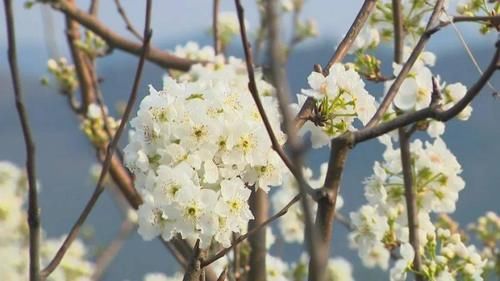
<point x="113" y="39"/>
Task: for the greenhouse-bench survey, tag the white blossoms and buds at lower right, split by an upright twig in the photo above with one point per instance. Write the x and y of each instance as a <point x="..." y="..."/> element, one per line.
<point x="381" y="225"/>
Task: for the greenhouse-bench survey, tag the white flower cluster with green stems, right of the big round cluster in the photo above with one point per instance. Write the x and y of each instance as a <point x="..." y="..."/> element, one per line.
<point x="341" y="98"/>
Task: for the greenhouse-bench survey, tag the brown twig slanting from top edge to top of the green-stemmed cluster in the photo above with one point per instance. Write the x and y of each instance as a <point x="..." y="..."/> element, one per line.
<point x="351" y="35"/>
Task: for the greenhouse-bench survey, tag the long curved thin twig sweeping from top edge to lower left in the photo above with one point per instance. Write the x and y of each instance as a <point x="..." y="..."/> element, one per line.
<point x="109" y="153"/>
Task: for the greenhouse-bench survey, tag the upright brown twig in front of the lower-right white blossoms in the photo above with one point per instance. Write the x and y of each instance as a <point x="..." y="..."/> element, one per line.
<point x="411" y="200"/>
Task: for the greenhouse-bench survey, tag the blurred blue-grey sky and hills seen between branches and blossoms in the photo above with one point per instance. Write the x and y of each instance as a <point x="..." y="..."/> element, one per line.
<point x="64" y="156"/>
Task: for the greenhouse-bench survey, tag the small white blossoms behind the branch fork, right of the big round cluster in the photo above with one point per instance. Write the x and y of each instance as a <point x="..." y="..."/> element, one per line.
<point x="291" y="225"/>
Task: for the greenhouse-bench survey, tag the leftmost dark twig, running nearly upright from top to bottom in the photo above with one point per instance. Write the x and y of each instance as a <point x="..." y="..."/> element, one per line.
<point x="33" y="211"/>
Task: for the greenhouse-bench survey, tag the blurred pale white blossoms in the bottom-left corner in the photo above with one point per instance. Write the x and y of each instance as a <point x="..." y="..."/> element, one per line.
<point x="14" y="245"/>
